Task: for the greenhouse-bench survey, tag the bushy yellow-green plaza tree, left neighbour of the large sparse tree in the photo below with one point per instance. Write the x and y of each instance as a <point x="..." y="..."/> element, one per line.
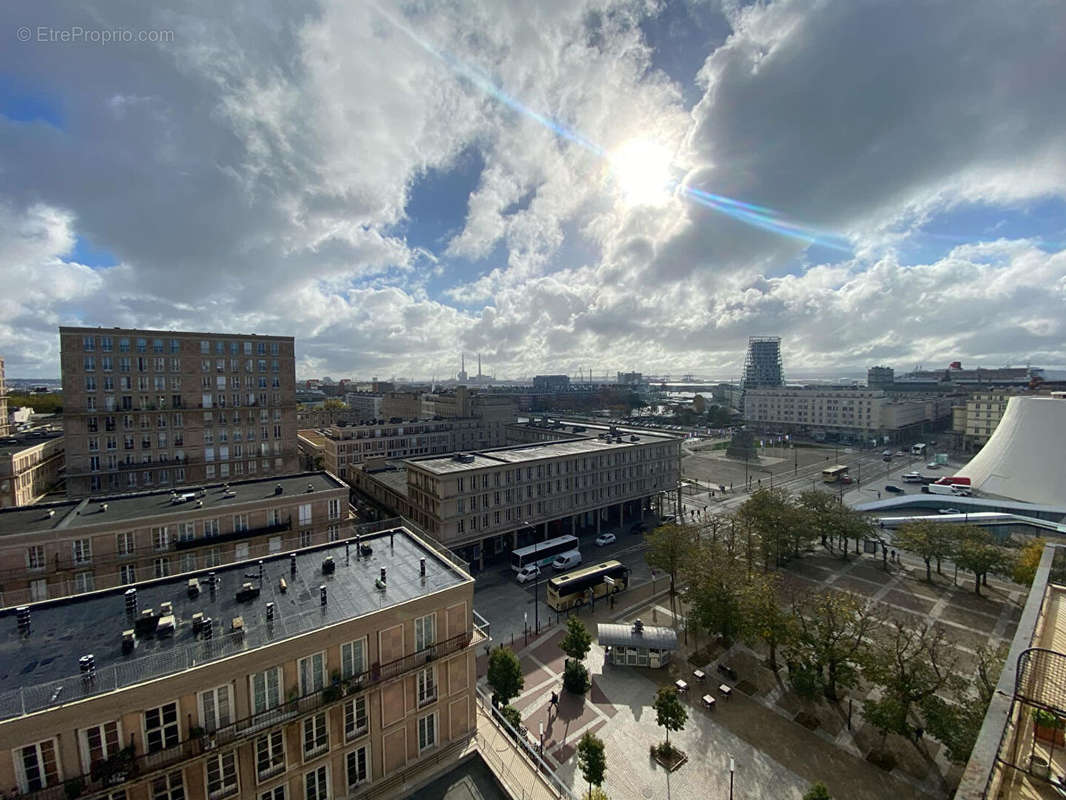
<point x="831" y="638"/>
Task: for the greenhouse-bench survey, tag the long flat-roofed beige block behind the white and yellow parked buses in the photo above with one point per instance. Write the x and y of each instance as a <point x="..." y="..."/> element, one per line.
<point x="483" y="503"/>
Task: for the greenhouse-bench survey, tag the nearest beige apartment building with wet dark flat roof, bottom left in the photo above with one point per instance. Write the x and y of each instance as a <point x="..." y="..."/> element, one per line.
<point x="312" y="676"/>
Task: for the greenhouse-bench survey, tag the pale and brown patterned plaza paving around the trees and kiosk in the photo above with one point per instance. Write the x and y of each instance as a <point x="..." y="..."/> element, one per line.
<point x="776" y="756"/>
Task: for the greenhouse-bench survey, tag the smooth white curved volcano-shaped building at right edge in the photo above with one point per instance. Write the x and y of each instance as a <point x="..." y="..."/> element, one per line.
<point x="1026" y="457"/>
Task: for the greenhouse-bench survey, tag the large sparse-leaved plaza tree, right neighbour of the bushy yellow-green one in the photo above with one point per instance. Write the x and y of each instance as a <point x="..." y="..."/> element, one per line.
<point x="911" y="665"/>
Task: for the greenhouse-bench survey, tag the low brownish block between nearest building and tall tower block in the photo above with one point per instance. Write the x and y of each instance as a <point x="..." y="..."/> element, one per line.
<point x="59" y="550"/>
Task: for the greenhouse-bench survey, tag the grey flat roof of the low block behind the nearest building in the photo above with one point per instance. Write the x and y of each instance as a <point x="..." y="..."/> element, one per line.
<point x="126" y="508"/>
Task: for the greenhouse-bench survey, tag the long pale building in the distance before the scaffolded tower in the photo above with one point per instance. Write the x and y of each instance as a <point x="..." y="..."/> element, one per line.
<point x="855" y="413"/>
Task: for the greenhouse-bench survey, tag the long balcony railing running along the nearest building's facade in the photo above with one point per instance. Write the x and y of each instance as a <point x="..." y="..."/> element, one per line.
<point x="127" y="767"/>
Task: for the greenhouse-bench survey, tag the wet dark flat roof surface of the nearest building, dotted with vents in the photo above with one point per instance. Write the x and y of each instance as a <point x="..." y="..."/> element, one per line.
<point x="43" y="668"/>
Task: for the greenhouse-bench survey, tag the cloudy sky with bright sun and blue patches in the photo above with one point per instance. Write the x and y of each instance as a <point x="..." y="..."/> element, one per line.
<point x="560" y="186"/>
